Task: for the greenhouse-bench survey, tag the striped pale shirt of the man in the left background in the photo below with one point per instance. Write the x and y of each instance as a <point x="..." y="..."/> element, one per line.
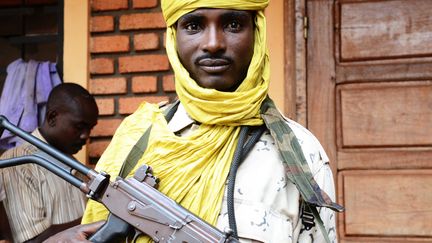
<point x="35" y="198"/>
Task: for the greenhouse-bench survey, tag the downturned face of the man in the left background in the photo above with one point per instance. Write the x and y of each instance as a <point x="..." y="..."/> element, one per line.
<point x="72" y="127"/>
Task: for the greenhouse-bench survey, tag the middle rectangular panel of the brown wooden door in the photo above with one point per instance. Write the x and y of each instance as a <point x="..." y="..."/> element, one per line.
<point x="398" y="111"/>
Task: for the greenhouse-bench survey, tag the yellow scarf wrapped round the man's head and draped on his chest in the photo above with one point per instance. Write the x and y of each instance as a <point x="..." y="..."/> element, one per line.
<point x="193" y="169"/>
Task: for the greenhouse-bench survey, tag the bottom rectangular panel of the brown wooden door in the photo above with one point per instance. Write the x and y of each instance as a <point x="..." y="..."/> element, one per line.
<point x="384" y="202"/>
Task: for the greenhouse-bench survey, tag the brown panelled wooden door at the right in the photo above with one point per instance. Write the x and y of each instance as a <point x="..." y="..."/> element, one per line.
<point x="369" y="102"/>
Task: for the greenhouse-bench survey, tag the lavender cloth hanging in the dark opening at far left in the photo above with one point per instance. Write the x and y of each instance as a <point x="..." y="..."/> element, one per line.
<point x="24" y="96"/>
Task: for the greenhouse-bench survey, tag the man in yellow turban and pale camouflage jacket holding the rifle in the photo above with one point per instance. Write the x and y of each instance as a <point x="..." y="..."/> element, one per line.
<point x="224" y="151"/>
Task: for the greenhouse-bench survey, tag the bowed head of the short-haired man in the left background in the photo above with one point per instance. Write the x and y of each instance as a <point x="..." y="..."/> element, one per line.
<point x="71" y="113"/>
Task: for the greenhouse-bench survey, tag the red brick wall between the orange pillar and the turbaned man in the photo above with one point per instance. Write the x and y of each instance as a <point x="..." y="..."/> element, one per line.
<point x="128" y="63"/>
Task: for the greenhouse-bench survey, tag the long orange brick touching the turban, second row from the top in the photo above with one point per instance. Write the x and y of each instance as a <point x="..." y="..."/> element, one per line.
<point x="142" y="21"/>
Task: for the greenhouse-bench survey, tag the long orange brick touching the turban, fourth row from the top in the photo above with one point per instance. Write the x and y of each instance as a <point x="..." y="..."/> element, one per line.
<point x="143" y="63"/>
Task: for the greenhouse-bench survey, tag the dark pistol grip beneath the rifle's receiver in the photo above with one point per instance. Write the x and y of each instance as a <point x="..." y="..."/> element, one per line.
<point x="114" y="230"/>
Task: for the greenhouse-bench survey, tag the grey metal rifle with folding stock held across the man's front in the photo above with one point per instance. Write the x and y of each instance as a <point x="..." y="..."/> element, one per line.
<point x="135" y="205"/>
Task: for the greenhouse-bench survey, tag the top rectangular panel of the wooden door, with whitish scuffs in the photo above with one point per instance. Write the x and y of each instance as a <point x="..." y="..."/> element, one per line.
<point x="385" y="29"/>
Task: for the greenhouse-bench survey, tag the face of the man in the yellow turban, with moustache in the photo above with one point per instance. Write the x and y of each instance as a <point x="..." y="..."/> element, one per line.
<point x="216" y="46"/>
